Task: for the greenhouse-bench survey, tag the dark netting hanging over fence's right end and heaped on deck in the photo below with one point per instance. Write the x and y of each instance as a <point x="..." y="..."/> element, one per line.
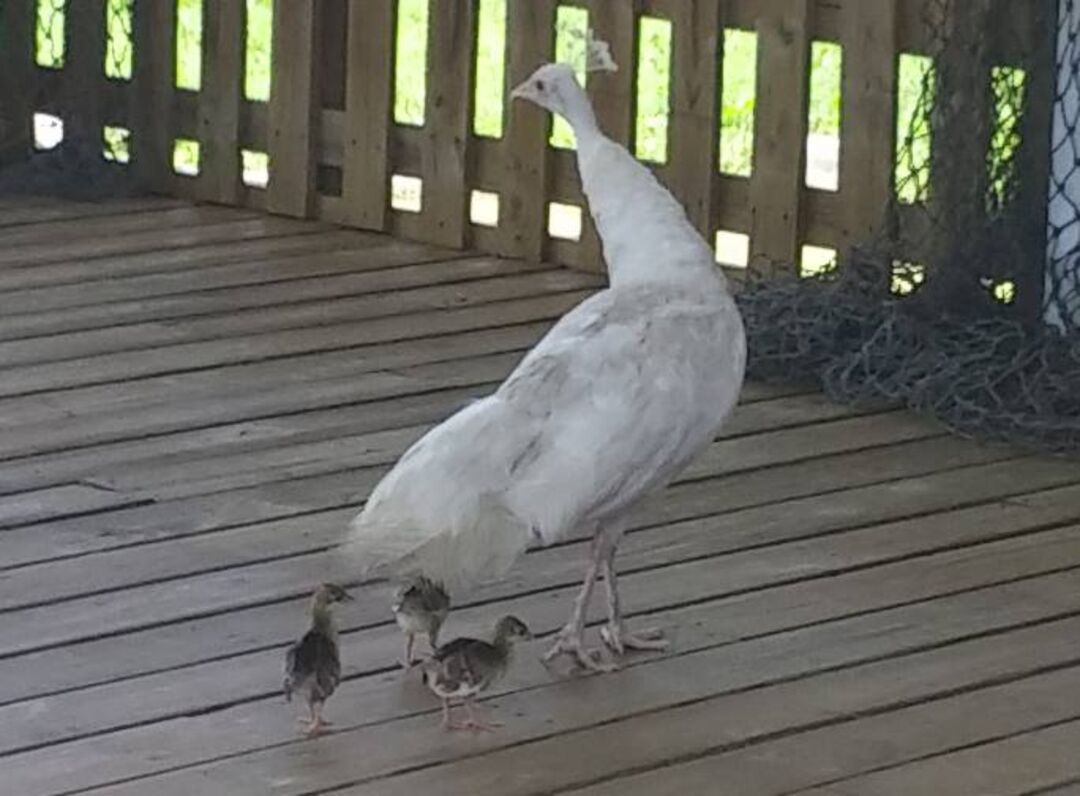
<point x="967" y="307"/>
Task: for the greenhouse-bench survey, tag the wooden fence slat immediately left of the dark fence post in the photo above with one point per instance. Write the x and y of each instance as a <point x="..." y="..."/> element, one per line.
<point x="294" y="107"/>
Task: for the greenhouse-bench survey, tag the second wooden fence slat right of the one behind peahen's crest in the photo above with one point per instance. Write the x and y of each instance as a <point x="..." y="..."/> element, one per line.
<point x="780" y="138"/>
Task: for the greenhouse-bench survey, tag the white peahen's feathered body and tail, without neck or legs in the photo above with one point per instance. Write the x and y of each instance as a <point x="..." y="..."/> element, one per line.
<point x="618" y="397"/>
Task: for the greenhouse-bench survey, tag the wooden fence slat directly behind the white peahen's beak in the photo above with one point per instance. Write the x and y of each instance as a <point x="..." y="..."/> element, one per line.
<point x="531" y="37"/>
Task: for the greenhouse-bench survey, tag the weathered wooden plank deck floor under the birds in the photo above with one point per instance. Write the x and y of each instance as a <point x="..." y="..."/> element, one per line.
<point x="194" y="401"/>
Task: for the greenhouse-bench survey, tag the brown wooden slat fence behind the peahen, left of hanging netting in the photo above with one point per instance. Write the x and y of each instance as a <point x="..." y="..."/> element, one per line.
<point x="329" y="126"/>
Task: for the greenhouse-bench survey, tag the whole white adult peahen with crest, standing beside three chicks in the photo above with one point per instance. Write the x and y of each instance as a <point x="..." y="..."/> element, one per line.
<point x="609" y="408"/>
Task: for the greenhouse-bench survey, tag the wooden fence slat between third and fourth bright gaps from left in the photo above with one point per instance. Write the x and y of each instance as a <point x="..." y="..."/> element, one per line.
<point x="223" y="70"/>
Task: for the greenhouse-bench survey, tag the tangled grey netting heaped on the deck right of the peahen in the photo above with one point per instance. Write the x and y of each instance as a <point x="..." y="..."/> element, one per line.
<point x="990" y="379"/>
